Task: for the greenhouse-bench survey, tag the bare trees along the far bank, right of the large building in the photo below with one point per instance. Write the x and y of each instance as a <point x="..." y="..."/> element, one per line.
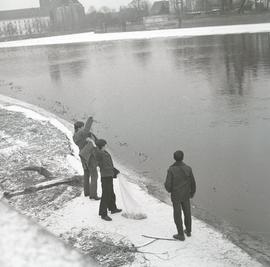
<point x="106" y="19"/>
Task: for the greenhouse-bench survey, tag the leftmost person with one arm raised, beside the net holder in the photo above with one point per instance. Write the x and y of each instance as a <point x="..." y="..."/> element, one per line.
<point x="83" y="139"/>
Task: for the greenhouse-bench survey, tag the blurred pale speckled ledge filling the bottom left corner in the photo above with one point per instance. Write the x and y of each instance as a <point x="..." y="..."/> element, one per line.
<point x="24" y="243"/>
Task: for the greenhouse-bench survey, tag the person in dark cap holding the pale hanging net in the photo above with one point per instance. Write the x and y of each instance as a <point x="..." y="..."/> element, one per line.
<point x="107" y="173"/>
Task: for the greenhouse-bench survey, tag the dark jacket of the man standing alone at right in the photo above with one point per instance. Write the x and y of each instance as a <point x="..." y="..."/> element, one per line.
<point x="180" y="182"/>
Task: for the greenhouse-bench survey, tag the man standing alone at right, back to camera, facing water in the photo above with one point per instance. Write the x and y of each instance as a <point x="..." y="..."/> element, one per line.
<point x="181" y="184"/>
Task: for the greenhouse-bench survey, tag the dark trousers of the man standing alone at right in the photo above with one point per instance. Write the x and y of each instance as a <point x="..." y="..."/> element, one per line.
<point x="178" y="206"/>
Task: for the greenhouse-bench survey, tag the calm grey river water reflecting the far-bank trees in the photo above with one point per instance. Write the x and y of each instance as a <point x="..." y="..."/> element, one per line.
<point x="209" y="96"/>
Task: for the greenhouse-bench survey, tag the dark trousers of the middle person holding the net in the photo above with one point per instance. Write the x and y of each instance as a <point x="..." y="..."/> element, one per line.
<point x="107" y="201"/>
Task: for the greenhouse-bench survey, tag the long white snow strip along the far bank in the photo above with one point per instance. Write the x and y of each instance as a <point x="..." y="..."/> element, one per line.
<point x="184" y="32"/>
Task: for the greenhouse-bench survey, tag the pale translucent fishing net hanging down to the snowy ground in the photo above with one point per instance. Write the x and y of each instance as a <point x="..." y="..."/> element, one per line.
<point x="131" y="208"/>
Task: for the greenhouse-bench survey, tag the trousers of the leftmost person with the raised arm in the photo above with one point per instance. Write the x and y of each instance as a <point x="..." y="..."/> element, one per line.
<point x="89" y="170"/>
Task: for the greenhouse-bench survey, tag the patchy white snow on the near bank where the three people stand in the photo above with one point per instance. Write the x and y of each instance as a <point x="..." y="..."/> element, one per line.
<point x="206" y="247"/>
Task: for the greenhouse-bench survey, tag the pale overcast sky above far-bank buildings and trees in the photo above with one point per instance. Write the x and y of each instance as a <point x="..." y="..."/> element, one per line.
<point x="16" y="4"/>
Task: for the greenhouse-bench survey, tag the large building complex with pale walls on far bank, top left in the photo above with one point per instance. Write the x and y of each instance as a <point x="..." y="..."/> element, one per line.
<point x="52" y="15"/>
